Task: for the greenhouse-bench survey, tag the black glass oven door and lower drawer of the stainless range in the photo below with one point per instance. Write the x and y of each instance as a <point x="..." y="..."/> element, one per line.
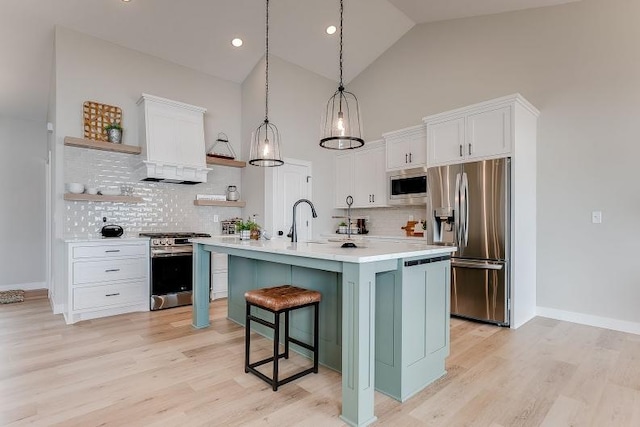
<point x="171" y="280"/>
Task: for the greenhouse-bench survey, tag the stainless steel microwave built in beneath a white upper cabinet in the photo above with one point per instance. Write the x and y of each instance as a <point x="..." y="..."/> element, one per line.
<point x="407" y="187"/>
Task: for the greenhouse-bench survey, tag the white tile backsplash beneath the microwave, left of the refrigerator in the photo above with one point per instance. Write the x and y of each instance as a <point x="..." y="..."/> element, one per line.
<point x="388" y="221"/>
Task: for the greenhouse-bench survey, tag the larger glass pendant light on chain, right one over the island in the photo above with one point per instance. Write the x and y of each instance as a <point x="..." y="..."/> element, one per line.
<point x="341" y="122"/>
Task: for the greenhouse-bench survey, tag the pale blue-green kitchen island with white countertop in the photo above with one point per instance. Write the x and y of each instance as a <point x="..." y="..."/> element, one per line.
<point x="384" y="316"/>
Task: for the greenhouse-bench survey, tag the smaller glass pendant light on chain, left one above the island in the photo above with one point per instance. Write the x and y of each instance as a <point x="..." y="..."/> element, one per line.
<point x="265" y="143"/>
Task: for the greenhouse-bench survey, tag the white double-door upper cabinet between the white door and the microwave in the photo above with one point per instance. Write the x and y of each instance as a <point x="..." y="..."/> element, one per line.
<point x="361" y="174"/>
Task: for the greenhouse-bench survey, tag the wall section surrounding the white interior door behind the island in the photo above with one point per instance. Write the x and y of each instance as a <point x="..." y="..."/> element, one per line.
<point x="296" y="101"/>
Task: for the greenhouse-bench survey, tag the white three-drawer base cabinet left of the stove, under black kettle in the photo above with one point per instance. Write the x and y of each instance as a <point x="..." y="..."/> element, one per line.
<point x="106" y="277"/>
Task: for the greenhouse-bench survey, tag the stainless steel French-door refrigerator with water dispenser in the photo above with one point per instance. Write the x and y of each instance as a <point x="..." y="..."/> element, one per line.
<point x="469" y="207"/>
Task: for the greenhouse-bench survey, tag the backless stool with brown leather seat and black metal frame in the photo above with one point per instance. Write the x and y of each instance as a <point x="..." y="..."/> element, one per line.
<point x="277" y="300"/>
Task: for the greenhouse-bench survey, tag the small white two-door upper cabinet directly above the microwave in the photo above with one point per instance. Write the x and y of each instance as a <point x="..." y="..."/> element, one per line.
<point x="406" y="148"/>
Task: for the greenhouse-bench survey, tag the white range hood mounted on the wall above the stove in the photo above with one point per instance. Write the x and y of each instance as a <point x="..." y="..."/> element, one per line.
<point x="172" y="139"/>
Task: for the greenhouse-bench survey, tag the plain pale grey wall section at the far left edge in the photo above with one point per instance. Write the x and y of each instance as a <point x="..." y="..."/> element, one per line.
<point x="22" y="215"/>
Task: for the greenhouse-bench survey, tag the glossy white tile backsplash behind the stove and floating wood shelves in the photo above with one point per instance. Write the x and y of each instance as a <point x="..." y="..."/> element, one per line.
<point x="165" y="207"/>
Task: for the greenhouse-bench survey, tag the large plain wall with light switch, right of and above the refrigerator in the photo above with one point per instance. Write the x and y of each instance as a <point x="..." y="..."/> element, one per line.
<point x="580" y="65"/>
